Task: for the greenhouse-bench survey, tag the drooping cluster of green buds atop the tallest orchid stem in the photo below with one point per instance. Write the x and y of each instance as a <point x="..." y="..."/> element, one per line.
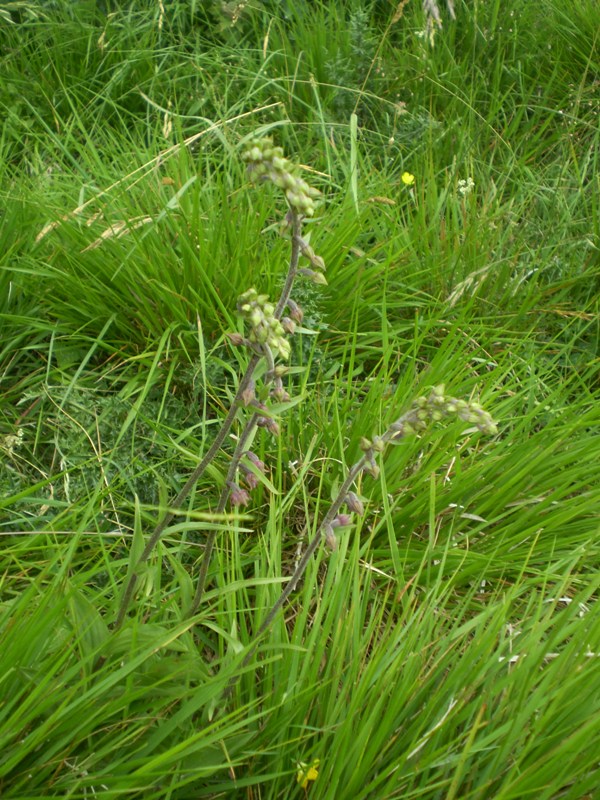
<point x="266" y="162"/>
